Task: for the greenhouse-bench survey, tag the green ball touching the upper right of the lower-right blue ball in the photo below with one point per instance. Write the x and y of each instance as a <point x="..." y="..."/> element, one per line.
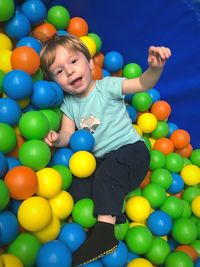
<point x="173" y="206"/>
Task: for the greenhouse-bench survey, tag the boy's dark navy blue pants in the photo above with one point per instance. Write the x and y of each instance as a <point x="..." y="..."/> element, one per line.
<point x="116" y="174"/>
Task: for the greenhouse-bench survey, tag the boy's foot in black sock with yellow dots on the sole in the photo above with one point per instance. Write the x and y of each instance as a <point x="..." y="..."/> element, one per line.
<point x="100" y="242"/>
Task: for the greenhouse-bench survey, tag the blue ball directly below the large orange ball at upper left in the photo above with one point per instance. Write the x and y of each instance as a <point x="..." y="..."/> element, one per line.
<point x="18" y="84"/>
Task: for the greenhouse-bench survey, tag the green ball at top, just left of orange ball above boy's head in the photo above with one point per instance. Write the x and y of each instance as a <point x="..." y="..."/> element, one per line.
<point x="59" y="17"/>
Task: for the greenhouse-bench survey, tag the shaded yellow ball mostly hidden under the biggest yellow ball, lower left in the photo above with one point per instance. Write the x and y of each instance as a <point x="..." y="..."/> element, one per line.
<point x="50" y="232"/>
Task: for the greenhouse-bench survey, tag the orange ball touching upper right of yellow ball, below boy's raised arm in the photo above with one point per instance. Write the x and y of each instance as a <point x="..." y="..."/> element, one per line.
<point x="161" y="109"/>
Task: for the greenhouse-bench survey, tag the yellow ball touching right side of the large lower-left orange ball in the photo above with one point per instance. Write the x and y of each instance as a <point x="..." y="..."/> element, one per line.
<point x="49" y="182"/>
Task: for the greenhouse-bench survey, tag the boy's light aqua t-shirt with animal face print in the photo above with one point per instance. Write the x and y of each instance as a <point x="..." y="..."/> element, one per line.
<point x="103" y="112"/>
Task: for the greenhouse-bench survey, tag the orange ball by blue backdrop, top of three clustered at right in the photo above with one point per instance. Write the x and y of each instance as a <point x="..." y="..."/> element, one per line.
<point x="180" y="138"/>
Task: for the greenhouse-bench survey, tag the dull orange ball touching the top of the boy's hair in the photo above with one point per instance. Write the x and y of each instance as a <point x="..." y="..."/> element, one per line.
<point x="44" y="31"/>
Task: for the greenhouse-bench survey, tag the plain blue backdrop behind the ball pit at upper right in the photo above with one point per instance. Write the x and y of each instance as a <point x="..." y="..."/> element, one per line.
<point x="130" y="27"/>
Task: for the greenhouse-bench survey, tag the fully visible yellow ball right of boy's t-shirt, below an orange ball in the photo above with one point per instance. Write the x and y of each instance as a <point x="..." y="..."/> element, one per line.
<point x="147" y="122"/>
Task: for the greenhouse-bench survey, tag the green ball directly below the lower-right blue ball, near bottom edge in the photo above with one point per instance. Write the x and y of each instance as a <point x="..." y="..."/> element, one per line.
<point x="158" y="252"/>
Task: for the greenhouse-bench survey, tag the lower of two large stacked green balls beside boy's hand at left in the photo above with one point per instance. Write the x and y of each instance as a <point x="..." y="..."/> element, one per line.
<point x="34" y="154"/>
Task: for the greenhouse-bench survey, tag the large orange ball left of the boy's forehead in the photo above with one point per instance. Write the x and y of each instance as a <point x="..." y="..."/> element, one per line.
<point x="25" y="58"/>
